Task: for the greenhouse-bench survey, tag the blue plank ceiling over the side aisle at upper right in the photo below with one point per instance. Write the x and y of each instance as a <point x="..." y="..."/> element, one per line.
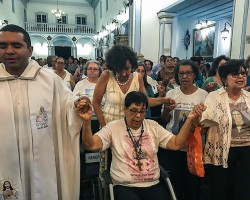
<point x="211" y="10"/>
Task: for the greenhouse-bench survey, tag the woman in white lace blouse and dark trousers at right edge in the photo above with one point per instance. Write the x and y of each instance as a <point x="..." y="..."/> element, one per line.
<point x="227" y="148"/>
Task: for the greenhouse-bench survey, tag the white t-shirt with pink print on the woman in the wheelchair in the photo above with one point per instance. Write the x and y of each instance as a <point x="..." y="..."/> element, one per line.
<point x="124" y="167"/>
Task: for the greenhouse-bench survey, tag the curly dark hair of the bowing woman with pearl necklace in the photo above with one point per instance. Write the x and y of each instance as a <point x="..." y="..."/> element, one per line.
<point x="117" y="56"/>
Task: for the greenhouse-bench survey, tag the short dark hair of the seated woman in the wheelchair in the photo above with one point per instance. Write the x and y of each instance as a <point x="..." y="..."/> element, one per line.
<point x="137" y="98"/>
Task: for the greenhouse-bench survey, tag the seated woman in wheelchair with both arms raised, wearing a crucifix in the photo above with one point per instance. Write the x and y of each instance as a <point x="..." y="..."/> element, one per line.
<point x="134" y="143"/>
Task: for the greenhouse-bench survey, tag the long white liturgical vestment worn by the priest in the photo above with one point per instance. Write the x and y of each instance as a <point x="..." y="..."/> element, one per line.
<point x="39" y="131"/>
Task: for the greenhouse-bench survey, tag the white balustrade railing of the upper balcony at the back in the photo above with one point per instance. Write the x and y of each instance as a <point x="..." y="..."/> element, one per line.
<point x="59" y="28"/>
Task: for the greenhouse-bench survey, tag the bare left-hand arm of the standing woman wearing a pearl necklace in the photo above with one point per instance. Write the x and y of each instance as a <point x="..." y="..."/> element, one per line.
<point x="99" y="92"/>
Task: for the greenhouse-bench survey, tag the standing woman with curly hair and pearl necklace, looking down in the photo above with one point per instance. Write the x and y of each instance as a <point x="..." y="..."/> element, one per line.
<point x="116" y="82"/>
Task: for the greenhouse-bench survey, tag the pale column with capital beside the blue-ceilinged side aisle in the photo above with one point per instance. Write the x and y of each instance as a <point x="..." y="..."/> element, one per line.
<point x="165" y="31"/>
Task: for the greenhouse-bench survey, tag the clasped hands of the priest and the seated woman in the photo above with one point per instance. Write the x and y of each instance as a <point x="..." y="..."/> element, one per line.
<point x="84" y="108"/>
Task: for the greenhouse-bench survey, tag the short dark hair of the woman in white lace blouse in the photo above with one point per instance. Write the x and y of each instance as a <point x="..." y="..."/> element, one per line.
<point x="231" y="66"/>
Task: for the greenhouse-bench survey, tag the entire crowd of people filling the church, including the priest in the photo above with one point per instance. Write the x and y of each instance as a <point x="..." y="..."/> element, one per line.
<point x="44" y="107"/>
